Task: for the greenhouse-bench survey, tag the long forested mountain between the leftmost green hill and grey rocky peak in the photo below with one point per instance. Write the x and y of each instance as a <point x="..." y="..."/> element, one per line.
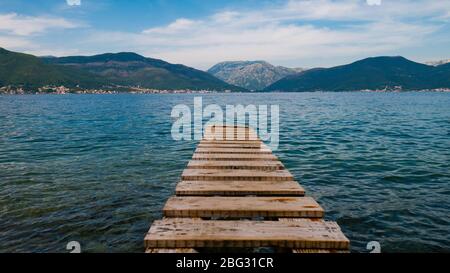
<point x="135" y="70"/>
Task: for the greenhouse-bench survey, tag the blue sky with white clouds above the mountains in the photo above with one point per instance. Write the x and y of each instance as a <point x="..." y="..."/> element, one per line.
<point x="201" y="33"/>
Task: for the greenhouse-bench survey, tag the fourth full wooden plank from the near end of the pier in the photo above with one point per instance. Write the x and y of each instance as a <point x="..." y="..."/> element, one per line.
<point x="249" y="175"/>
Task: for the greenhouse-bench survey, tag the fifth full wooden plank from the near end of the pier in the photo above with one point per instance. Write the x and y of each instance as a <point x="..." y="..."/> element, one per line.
<point x="233" y="164"/>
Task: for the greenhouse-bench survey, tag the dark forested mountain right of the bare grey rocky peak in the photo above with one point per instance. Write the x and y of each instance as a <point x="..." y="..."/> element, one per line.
<point x="371" y="73"/>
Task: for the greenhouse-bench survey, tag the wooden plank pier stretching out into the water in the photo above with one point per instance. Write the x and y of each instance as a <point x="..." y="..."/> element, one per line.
<point x="235" y="193"/>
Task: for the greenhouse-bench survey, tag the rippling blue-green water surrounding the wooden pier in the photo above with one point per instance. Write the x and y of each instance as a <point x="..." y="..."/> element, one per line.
<point x="98" y="168"/>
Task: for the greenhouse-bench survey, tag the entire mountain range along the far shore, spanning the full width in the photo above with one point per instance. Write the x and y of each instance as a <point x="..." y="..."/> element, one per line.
<point x="128" y="71"/>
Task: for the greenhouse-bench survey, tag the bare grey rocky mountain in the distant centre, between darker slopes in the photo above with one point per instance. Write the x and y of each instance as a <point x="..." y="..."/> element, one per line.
<point x="252" y="75"/>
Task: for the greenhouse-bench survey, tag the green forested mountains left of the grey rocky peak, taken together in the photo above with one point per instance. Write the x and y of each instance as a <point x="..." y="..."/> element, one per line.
<point x="109" y="70"/>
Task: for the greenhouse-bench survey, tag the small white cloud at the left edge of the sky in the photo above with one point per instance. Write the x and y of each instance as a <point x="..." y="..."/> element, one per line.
<point x="15" y="24"/>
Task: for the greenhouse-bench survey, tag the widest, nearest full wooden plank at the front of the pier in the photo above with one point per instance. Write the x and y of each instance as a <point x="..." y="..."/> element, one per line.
<point x="185" y="232"/>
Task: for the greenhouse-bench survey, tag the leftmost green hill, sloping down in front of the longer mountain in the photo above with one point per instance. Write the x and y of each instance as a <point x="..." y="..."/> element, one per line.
<point x="31" y="72"/>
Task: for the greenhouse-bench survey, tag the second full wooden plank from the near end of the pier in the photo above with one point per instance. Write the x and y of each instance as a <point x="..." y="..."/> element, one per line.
<point x="219" y="206"/>
